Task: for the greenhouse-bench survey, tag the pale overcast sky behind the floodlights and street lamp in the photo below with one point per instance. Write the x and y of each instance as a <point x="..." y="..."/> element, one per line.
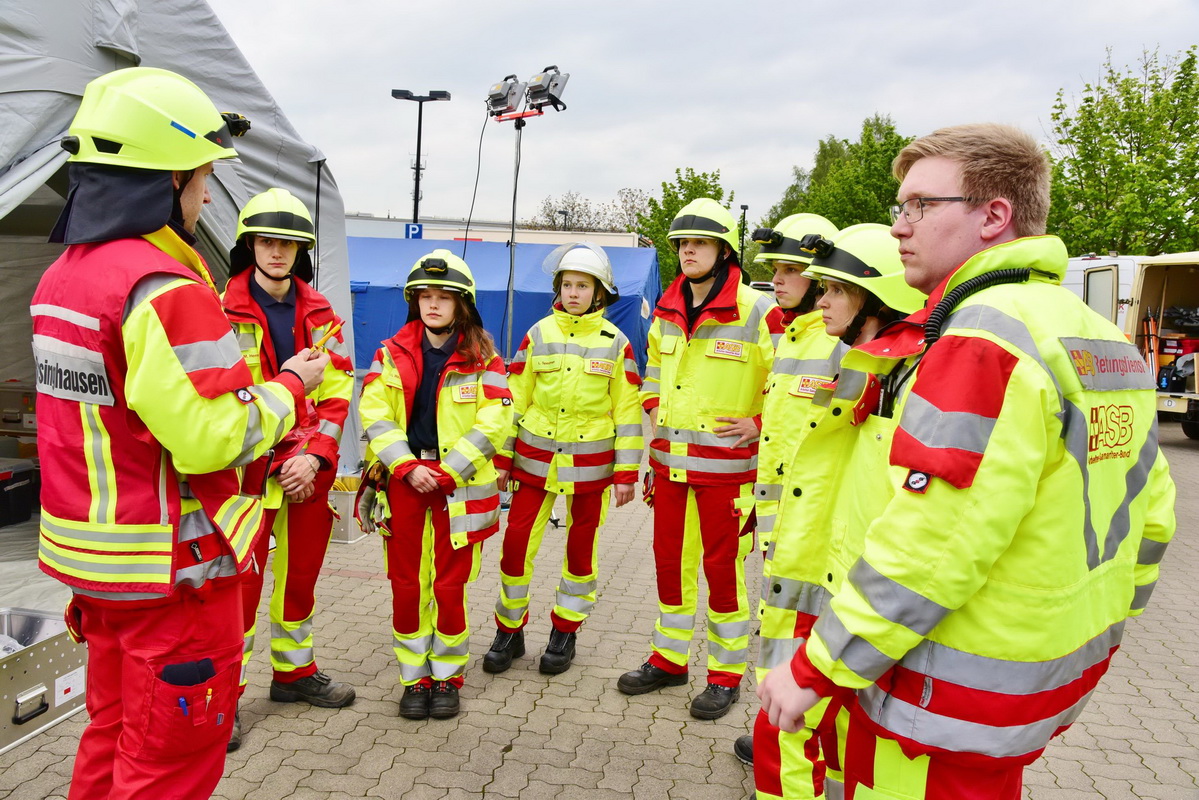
<point x="745" y="88"/>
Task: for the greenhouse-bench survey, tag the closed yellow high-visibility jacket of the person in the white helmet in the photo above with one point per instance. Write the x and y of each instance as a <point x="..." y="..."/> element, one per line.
<point x="575" y="393"/>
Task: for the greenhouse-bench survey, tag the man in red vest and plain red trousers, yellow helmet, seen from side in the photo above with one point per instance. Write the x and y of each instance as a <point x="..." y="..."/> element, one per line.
<point x="147" y="413"/>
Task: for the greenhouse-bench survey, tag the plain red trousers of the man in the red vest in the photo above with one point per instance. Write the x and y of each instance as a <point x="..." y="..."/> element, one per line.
<point x="148" y="736"/>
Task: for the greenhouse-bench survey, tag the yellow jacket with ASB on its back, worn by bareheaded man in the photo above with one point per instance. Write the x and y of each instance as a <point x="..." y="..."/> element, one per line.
<point x="1027" y="508"/>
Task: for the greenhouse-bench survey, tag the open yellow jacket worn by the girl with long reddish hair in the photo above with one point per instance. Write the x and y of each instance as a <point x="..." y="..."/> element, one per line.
<point x="474" y="419"/>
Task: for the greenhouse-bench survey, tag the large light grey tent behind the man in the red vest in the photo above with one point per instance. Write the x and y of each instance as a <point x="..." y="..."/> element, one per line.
<point x="50" y="50"/>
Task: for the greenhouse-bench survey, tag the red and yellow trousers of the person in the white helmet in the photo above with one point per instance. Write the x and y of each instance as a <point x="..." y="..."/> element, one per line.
<point x="528" y="518"/>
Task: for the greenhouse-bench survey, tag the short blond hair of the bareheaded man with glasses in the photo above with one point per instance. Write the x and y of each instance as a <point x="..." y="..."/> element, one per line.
<point x="995" y="161"/>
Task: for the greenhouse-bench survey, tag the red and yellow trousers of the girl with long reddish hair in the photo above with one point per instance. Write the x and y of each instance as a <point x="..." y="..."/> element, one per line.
<point x="429" y="587"/>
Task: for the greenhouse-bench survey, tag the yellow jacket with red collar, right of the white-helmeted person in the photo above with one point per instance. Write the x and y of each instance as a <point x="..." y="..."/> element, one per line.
<point x="697" y="374"/>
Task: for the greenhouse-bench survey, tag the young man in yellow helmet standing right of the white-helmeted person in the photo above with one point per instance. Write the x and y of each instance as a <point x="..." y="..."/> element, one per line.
<point x="710" y="350"/>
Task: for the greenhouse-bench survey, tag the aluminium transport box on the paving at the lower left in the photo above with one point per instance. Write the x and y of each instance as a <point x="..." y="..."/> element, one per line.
<point x="43" y="683"/>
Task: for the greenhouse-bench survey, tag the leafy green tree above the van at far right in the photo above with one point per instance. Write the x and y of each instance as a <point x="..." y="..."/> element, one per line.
<point x="1126" y="160"/>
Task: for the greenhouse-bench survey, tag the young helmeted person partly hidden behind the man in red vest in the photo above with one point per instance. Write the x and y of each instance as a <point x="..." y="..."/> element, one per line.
<point x="275" y="312"/>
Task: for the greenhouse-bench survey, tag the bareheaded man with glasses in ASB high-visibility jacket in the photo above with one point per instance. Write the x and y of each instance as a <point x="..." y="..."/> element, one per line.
<point x="1028" y="504"/>
